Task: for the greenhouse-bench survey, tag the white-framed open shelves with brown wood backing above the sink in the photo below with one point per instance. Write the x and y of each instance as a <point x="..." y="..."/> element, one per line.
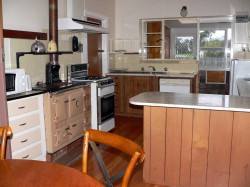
<point x="155" y="40"/>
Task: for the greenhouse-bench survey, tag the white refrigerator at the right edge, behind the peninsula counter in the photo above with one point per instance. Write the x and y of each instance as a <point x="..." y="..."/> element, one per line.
<point x="238" y="69"/>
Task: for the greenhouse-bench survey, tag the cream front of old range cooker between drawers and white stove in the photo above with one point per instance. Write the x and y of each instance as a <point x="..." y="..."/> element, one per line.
<point x="67" y="115"/>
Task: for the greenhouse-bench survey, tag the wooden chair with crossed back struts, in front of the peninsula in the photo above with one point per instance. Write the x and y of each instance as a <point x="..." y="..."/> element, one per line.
<point x="120" y="143"/>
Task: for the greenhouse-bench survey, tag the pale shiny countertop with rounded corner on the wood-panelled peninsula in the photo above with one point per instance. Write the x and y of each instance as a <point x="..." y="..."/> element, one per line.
<point x="195" y="101"/>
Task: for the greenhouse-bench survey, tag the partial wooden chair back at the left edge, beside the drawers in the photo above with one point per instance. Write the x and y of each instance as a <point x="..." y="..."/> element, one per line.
<point x="4" y="133"/>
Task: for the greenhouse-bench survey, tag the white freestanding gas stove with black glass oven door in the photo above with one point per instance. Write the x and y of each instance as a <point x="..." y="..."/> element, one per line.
<point x="102" y="96"/>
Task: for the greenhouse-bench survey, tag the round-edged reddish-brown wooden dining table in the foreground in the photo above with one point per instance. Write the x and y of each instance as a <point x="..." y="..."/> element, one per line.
<point x="15" y="172"/>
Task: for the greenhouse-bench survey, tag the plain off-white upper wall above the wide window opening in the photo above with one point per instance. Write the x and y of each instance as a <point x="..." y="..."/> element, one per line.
<point x="129" y="12"/>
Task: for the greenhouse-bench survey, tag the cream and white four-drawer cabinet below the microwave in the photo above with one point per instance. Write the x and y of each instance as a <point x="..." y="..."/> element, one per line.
<point x="26" y="118"/>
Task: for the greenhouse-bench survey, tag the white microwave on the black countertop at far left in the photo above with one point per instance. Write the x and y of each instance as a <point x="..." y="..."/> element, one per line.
<point x="15" y="80"/>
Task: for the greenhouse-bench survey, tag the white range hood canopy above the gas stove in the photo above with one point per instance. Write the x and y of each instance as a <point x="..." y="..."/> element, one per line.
<point x="81" y="25"/>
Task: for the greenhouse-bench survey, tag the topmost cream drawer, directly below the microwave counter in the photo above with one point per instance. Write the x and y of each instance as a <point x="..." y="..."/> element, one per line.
<point x="21" y="106"/>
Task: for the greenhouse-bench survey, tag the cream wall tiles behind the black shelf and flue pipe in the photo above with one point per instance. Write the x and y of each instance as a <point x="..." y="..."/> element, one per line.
<point x="34" y="65"/>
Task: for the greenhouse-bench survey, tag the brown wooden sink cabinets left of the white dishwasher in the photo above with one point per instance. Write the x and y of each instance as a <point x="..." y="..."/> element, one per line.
<point x="129" y="86"/>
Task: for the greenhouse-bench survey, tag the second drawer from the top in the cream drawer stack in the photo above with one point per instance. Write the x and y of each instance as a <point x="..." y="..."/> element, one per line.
<point x="24" y="123"/>
